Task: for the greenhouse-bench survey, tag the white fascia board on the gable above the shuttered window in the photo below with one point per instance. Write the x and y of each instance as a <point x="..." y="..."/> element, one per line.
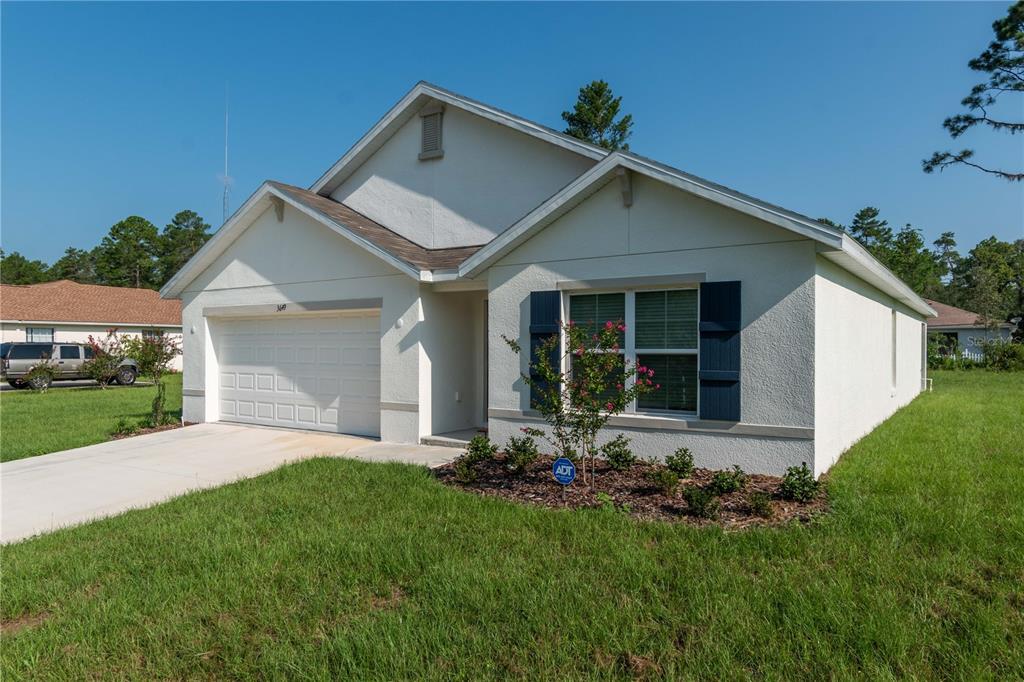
<point x="592" y="180"/>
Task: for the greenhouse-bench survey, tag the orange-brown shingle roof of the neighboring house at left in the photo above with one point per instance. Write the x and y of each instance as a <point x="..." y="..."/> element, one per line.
<point x="72" y="303"/>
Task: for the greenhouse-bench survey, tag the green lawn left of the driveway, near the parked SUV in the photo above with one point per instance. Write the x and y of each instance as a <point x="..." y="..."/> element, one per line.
<point x="71" y="417"/>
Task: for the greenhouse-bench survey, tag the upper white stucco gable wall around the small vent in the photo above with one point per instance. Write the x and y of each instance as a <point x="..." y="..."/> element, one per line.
<point x="489" y="178"/>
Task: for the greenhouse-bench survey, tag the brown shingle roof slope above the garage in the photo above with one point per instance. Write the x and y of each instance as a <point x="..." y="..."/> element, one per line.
<point x="376" y="234"/>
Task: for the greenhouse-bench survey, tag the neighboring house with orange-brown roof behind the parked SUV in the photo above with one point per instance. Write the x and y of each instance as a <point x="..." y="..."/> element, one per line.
<point x="66" y="311"/>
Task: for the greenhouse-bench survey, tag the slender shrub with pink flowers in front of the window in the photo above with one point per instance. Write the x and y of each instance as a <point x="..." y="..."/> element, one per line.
<point x="596" y="385"/>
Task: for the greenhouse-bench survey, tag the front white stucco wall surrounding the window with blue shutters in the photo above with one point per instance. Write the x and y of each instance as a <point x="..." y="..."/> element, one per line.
<point x="668" y="232"/>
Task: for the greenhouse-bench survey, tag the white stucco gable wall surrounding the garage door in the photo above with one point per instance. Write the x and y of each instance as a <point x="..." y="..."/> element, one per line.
<point x="301" y="261"/>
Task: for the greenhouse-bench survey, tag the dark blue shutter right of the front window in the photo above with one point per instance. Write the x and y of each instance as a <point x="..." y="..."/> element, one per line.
<point x="720" y="351"/>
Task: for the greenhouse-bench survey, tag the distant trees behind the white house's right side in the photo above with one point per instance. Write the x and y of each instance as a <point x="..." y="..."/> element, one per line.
<point x="989" y="280"/>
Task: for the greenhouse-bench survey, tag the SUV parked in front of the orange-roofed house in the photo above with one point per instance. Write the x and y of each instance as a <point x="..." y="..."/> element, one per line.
<point x="18" y="359"/>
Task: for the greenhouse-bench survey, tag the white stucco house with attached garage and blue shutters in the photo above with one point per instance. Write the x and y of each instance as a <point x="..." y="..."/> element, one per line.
<point x="376" y="302"/>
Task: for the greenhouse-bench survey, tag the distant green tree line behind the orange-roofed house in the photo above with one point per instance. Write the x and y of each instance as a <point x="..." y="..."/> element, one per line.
<point x="134" y="254"/>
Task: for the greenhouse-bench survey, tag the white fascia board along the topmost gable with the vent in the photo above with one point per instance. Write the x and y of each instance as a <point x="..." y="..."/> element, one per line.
<point x="410" y="104"/>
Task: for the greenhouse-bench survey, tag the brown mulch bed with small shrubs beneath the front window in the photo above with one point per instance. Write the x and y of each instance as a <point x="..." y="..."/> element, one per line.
<point x="634" y="494"/>
